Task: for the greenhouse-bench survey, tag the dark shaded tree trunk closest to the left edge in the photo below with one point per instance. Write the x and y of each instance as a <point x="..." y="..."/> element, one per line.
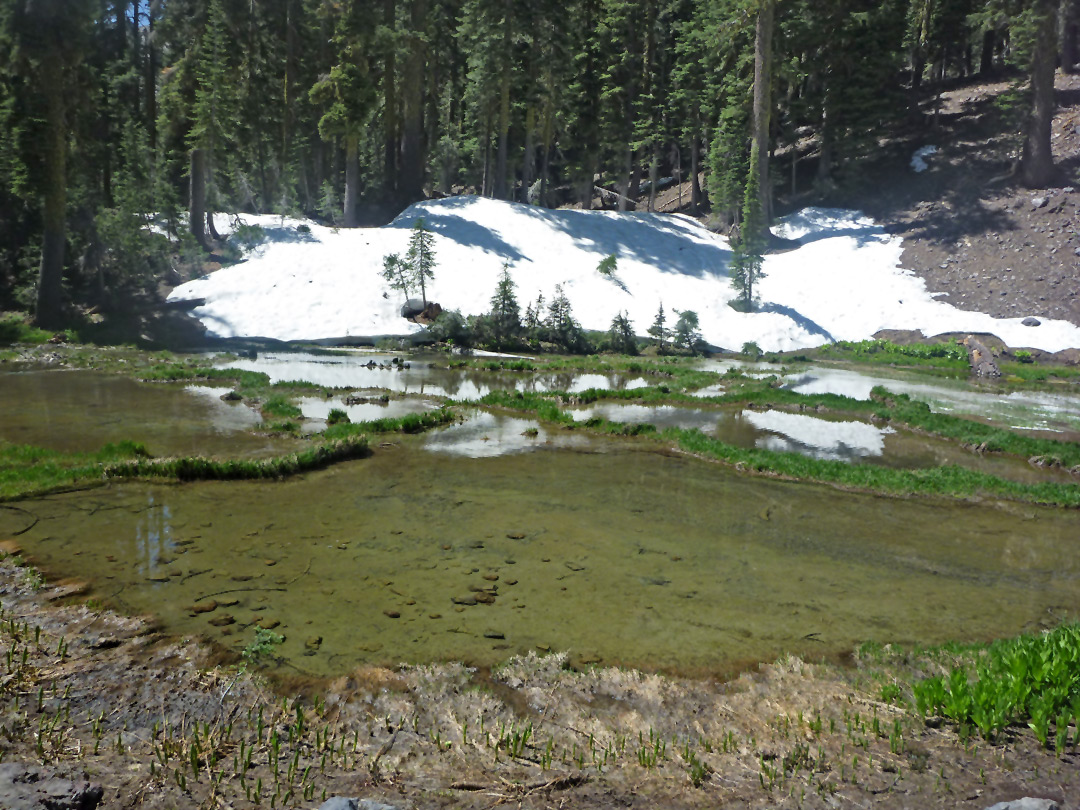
<point x="50" y="314"/>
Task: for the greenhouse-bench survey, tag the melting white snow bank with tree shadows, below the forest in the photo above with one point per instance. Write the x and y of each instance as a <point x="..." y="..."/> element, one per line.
<point x="844" y="281"/>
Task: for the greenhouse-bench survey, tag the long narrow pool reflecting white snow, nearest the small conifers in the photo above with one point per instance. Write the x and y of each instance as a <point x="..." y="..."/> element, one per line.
<point x="421" y="376"/>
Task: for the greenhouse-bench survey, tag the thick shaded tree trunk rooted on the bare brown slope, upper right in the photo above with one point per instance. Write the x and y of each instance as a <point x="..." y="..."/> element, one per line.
<point x="1037" y="160"/>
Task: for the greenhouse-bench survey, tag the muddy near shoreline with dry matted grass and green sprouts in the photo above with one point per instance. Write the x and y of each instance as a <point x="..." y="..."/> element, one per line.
<point x="156" y="725"/>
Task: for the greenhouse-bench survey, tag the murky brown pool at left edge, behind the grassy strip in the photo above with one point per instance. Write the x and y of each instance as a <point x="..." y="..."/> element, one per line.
<point x="79" y="412"/>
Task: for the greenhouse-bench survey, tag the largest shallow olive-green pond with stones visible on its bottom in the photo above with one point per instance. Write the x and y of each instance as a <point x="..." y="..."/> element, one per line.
<point x="615" y="553"/>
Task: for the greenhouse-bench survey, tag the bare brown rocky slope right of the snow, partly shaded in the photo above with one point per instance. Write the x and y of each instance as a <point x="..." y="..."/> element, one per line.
<point x="970" y="231"/>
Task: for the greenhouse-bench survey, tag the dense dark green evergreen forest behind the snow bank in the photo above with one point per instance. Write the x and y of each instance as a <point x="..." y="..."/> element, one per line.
<point x="126" y="125"/>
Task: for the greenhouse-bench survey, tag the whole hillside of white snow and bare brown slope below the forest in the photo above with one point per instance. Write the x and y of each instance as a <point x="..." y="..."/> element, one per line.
<point x="956" y="248"/>
